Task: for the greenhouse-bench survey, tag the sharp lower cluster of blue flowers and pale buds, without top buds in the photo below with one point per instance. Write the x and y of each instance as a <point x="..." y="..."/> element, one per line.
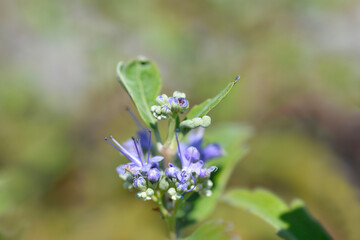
<point x="147" y="175"/>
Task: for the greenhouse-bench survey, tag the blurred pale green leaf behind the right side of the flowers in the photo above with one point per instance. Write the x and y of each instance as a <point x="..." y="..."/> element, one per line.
<point x="232" y="137"/>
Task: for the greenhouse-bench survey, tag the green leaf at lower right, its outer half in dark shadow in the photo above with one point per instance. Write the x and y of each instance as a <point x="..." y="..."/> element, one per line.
<point x="291" y="222"/>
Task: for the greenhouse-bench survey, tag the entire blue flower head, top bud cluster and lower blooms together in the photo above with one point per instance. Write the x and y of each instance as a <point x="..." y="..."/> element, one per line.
<point x="151" y="175"/>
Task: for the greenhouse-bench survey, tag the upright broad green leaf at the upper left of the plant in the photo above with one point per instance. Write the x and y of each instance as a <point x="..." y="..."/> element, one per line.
<point x="141" y="80"/>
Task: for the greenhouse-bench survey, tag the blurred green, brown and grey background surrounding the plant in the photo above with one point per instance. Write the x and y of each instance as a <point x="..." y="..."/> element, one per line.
<point x="299" y="89"/>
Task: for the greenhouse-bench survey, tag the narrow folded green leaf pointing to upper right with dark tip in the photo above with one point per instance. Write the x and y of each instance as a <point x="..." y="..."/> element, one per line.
<point x="205" y="107"/>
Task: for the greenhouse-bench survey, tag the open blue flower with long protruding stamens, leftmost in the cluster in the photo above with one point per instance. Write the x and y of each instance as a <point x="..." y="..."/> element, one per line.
<point x="138" y="164"/>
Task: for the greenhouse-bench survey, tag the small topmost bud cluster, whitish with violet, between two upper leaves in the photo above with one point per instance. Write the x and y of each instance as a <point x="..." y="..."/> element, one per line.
<point x="169" y="106"/>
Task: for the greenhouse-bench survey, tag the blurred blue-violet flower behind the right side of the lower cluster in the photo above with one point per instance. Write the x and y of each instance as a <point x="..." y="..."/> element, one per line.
<point x="195" y="139"/>
